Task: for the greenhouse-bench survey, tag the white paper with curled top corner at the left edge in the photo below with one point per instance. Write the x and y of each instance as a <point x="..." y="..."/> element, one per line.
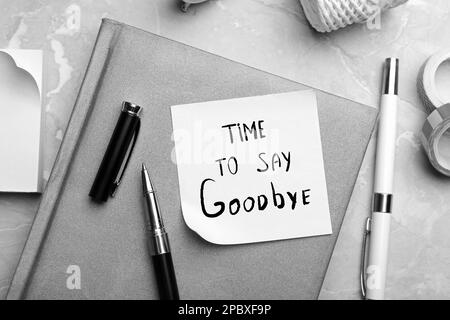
<point x="20" y="120"/>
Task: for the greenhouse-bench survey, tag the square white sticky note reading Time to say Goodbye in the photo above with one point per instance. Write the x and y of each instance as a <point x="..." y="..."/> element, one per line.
<point x="251" y="169"/>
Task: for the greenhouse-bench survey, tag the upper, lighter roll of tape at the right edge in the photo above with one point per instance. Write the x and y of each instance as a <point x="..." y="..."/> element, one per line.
<point x="426" y="84"/>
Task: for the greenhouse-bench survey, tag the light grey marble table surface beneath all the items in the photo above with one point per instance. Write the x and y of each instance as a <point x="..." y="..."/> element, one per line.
<point x="272" y="35"/>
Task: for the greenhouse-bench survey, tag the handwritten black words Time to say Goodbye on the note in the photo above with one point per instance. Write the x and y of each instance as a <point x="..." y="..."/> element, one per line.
<point x="278" y="161"/>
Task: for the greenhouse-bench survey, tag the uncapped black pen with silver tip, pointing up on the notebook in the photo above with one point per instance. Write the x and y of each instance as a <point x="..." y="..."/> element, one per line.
<point x="159" y="243"/>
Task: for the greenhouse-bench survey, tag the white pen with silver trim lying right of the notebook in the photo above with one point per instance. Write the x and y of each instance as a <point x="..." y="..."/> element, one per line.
<point x="373" y="275"/>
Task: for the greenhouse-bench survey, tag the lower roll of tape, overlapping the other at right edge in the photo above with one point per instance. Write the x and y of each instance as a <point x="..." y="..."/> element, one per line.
<point x="435" y="140"/>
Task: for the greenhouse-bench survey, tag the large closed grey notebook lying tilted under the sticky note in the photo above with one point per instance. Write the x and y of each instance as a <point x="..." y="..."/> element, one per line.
<point x="108" y="242"/>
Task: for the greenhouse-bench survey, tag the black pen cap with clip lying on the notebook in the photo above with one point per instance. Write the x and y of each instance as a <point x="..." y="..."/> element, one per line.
<point x="118" y="153"/>
